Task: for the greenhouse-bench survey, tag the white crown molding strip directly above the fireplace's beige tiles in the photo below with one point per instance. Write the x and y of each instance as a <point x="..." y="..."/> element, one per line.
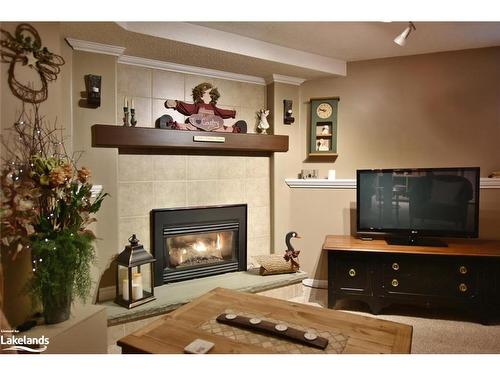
<point x="187" y="69"/>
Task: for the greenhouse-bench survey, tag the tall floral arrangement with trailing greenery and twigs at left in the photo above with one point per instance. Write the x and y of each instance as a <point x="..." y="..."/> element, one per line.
<point x="46" y="208"/>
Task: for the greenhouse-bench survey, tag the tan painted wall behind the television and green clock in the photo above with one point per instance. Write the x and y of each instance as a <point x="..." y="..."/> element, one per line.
<point x="419" y="111"/>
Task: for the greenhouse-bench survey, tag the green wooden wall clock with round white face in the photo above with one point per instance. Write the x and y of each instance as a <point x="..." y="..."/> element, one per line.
<point x="323" y="127"/>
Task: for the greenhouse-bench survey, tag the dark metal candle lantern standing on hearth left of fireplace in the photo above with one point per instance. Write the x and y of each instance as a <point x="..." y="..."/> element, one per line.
<point x="134" y="275"/>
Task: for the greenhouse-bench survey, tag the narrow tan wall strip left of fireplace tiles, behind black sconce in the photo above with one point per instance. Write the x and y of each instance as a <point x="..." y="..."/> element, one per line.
<point x="102" y="162"/>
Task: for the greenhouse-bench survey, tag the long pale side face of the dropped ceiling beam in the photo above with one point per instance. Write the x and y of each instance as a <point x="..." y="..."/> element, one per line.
<point x="224" y="41"/>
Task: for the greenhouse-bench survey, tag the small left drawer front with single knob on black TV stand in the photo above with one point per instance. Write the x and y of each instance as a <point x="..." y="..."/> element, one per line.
<point x="351" y="274"/>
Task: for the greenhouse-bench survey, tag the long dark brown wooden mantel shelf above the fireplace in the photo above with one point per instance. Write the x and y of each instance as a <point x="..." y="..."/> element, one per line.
<point x="138" y="140"/>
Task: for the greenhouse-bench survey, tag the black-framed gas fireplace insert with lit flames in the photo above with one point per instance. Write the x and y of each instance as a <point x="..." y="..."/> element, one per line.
<point x="196" y="242"/>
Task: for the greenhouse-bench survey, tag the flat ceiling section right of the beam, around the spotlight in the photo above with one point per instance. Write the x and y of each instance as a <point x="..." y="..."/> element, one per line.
<point x="352" y="41"/>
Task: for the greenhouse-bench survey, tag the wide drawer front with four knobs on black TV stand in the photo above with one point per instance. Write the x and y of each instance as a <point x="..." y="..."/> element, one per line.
<point x="430" y="276"/>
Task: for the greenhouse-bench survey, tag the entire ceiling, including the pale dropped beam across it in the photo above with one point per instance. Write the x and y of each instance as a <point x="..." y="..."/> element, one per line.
<point x="307" y="50"/>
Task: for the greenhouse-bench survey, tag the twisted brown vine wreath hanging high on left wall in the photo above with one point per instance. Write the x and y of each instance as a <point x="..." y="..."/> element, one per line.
<point x="25" y="49"/>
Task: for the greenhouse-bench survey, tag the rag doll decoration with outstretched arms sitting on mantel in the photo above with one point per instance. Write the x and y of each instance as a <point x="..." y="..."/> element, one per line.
<point x="203" y="113"/>
